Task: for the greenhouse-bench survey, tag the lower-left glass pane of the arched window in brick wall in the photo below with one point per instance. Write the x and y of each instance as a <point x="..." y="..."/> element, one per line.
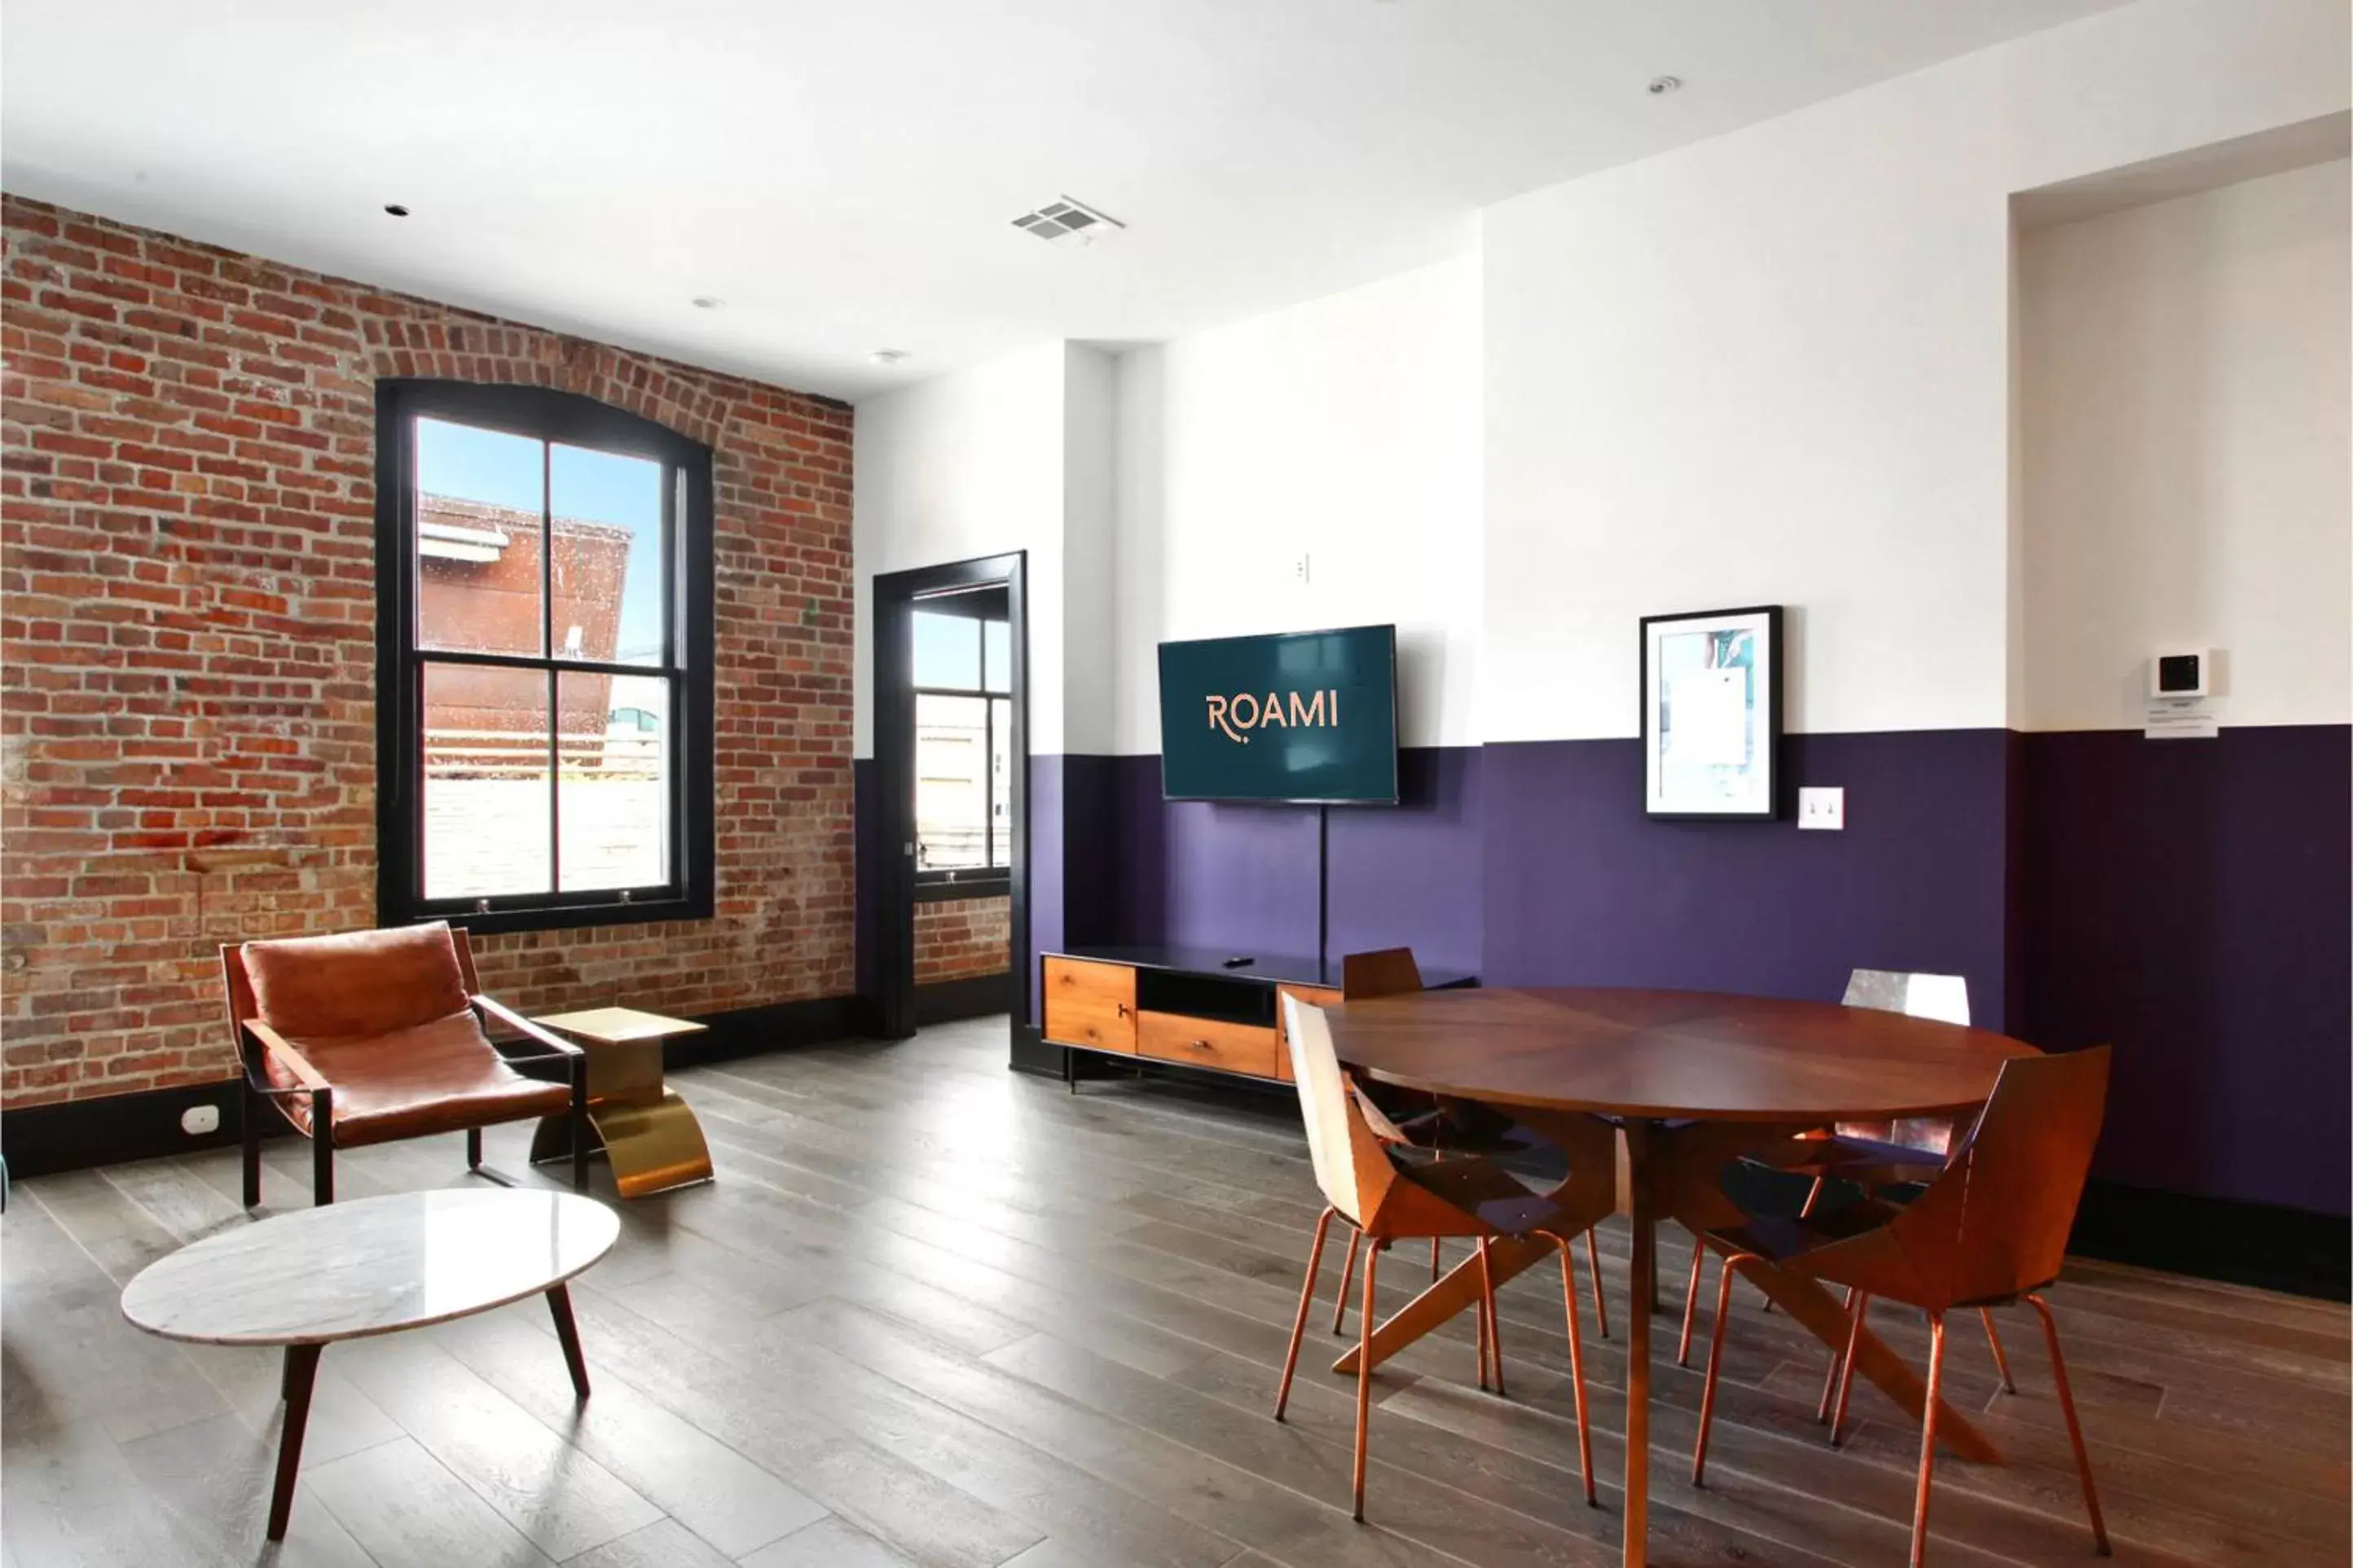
<point x="486" y="782"/>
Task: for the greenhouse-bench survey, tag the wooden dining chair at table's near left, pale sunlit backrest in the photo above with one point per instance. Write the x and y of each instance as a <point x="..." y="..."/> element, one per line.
<point x="1387" y="1200"/>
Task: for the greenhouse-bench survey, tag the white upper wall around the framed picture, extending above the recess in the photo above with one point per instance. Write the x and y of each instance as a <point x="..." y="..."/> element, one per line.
<point x="1775" y="368"/>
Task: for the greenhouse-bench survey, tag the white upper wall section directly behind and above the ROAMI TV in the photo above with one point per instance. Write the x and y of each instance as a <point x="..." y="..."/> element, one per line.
<point x="1345" y="431"/>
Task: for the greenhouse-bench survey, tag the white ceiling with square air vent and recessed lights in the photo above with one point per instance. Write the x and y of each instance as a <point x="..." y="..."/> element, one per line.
<point x="844" y="173"/>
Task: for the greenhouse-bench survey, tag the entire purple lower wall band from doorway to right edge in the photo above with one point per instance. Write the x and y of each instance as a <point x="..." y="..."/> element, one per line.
<point x="2185" y="902"/>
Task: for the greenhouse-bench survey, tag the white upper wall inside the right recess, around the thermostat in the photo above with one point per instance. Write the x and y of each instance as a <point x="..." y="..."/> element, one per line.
<point x="2185" y="410"/>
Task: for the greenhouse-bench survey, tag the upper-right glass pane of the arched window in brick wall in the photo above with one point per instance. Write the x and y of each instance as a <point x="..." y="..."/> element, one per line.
<point x="608" y="556"/>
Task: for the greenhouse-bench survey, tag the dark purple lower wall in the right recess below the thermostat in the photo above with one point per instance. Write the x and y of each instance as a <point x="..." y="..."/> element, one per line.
<point x="2192" y="904"/>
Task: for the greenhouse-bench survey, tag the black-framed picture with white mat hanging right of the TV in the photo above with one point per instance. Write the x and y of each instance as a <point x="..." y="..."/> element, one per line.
<point x="1712" y="713"/>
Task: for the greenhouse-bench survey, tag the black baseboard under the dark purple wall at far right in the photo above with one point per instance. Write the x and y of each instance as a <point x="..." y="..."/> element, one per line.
<point x="2248" y="1245"/>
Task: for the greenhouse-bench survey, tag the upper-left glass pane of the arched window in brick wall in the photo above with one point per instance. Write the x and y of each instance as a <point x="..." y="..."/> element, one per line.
<point x="479" y="516"/>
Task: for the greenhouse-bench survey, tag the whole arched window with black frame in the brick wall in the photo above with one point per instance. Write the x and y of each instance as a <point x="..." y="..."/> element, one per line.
<point x="542" y="662"/>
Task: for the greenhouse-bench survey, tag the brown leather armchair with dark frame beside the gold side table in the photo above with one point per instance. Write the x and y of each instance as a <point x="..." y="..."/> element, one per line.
<point x="378" y="1036"/>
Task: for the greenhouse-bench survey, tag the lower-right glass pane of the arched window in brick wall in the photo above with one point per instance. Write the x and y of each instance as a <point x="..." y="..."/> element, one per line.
<point x="613" y="793"/>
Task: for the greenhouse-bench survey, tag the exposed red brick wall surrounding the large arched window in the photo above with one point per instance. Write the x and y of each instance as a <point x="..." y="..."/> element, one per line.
<point x="187" y="624"/>
